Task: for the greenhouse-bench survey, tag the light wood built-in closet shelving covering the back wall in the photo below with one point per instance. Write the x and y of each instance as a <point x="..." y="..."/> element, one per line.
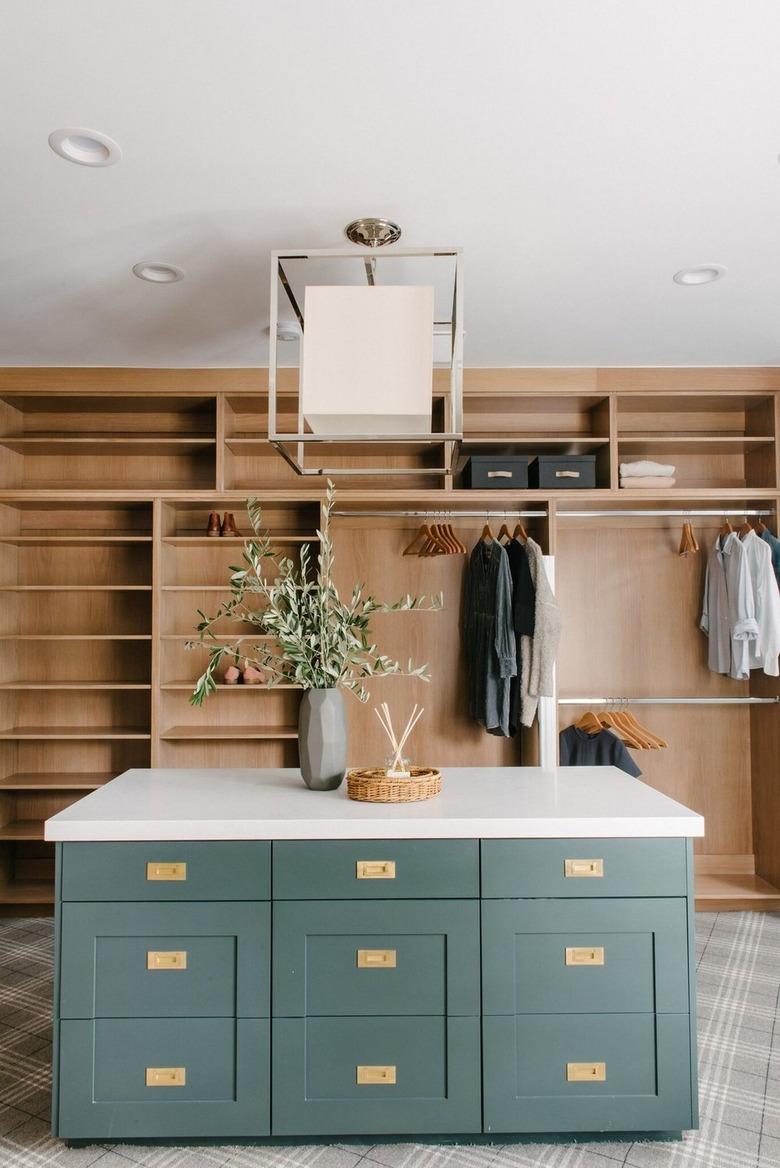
<point x="107" y="479"/>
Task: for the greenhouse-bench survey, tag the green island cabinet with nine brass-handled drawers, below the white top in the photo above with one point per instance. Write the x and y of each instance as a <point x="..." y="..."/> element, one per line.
<point x="284" y="990"/>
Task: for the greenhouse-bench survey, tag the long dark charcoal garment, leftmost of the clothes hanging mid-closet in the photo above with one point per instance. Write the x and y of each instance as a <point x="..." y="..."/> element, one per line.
<point x="490" y="637"/>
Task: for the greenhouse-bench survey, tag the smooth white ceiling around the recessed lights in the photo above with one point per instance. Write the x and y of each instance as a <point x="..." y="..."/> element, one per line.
<point x="580" y="152"/>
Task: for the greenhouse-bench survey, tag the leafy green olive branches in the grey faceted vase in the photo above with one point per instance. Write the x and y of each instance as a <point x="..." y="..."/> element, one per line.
<point x="312" y="638"/>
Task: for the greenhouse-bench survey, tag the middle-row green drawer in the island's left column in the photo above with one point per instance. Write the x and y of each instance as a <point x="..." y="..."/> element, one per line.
<point x="165" y="961"/>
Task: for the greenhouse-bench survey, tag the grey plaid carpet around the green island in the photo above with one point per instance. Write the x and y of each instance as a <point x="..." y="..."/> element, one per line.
<point x="740" y="1062"/>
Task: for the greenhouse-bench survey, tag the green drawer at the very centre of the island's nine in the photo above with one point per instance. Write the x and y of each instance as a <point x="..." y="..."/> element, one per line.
<point x="377" y="958"/>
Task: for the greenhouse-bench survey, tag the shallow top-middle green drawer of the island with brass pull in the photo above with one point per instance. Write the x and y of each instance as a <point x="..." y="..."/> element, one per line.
<point x="375" y="870"/>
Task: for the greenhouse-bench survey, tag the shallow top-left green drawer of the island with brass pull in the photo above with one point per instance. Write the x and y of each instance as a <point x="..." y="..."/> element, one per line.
<point x="214" y="871"/>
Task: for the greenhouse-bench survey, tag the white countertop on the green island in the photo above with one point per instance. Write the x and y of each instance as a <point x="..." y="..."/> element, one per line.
<point x="477" y="803"/>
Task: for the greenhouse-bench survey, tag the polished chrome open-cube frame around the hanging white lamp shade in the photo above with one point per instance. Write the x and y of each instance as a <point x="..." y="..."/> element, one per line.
<point x="292" y="447"/>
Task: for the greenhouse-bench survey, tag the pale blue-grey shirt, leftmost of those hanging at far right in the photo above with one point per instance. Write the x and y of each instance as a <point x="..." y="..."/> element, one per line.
<point x="728" y="613"/>
